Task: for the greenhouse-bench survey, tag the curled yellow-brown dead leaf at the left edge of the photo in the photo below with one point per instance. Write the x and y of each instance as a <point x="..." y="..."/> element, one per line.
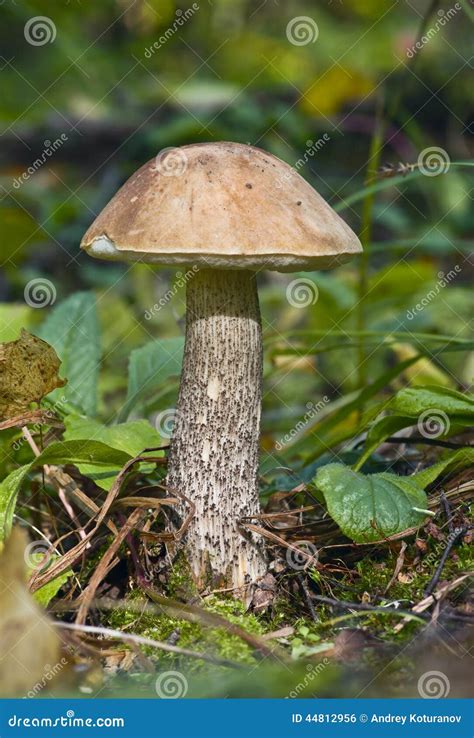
<point x="28" y="371"/>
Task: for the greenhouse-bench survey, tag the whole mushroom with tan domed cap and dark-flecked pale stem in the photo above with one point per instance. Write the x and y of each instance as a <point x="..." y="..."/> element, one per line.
<point x="228" y="210"/>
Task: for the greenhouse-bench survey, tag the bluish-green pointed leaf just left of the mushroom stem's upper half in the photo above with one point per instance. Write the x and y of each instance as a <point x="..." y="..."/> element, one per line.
<point x="149" y="367"/>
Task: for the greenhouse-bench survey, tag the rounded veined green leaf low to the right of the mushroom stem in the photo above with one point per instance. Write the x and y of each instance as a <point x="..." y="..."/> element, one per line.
<point x="368" y="508"/>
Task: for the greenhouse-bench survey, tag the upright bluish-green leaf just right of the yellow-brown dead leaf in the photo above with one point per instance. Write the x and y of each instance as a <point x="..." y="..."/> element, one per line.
<point x="72" y="328"/>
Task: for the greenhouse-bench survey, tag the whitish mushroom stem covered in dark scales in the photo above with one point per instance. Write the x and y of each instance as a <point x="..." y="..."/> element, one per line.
<point x="214" y="450"/>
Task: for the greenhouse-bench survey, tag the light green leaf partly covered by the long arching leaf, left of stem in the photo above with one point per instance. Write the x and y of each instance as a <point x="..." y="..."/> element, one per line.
<point x="133" y="438"/>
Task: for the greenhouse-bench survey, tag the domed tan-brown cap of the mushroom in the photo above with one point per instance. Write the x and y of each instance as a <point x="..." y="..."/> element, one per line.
<point x="221" y="205"/>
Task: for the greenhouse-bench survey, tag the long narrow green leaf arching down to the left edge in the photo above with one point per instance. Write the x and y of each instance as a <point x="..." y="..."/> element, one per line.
<point x="70" y="452"/>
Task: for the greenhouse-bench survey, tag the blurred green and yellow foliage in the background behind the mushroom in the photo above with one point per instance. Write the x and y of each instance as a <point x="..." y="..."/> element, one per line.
<point x="115" y="82"/>
